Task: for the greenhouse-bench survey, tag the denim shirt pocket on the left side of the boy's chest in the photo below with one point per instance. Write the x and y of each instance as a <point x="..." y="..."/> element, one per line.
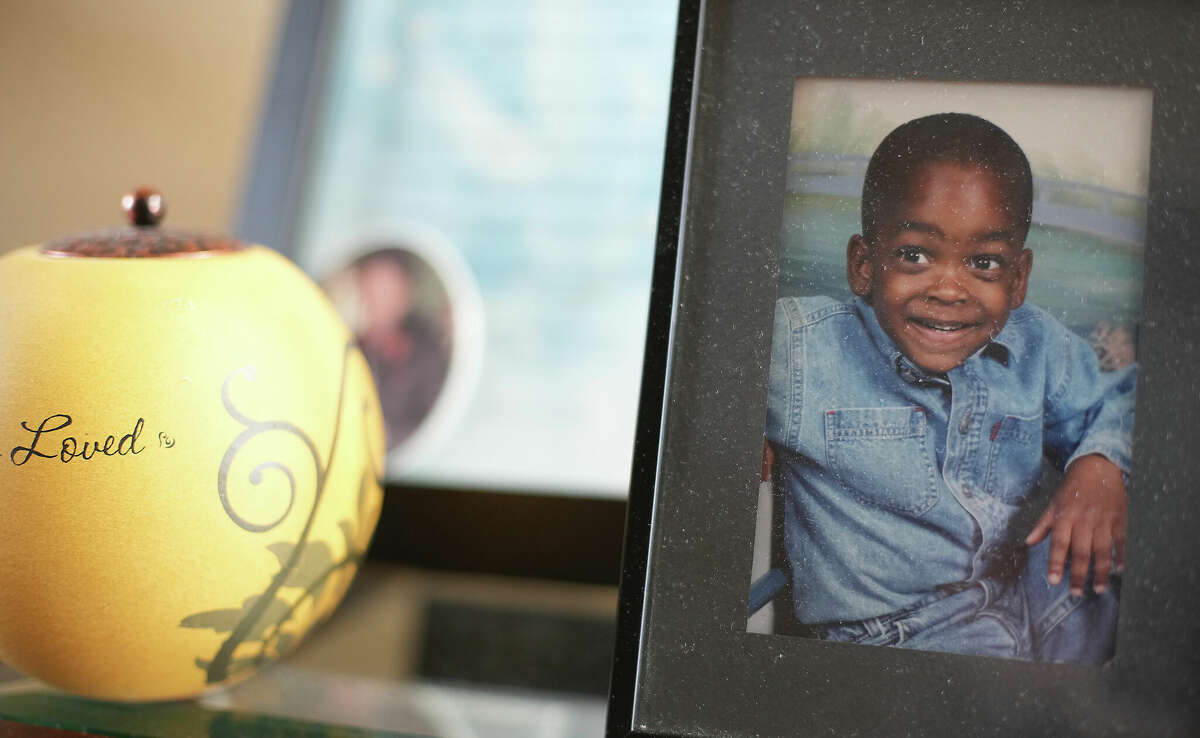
<point x="881" y="458"/>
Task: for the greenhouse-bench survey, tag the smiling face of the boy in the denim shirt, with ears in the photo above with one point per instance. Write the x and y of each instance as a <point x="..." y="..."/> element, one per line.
<point x="947" y="266"/>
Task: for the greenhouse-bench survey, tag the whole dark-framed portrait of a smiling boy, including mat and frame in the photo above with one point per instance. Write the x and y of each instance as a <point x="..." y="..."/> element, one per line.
<point x="915" y="447"/>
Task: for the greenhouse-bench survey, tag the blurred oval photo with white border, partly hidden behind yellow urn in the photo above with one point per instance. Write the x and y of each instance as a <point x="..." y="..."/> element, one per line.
<point x="416" y="314"/>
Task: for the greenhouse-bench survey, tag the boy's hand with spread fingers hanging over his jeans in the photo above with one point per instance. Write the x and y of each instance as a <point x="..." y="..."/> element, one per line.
<point x="1088" y="515"/>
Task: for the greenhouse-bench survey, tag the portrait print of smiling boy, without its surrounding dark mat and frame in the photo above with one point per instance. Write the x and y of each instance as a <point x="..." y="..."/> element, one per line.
<point x="932" y="317"/>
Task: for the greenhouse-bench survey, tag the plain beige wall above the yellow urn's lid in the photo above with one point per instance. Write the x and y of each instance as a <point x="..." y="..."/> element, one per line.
<point x="101" y="97"/>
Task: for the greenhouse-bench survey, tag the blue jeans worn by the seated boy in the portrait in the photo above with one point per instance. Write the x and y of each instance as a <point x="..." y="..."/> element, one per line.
<point x="1028" y="619"/>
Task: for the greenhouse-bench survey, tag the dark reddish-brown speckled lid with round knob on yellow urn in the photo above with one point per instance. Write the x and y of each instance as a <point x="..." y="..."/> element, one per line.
<point x="142" y="238"/>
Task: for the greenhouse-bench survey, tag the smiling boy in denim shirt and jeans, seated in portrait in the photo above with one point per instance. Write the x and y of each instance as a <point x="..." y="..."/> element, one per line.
<point x="909" y="428"/>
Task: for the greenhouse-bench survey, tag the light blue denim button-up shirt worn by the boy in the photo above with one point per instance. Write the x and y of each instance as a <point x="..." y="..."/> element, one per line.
<point x="899" y="483"/>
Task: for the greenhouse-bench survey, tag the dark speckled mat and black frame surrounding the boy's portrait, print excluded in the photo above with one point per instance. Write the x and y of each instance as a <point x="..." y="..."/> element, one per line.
<point x="685" y="664"/>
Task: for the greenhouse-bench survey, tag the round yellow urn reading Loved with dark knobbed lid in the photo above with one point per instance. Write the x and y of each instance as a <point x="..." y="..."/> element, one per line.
<point x="190" y="460"/>
